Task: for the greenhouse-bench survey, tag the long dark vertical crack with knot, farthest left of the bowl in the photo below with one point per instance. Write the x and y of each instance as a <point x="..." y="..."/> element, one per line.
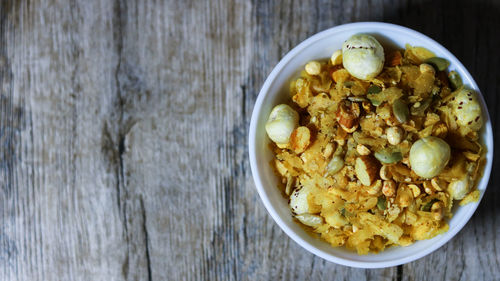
<point x="130" y="91"/>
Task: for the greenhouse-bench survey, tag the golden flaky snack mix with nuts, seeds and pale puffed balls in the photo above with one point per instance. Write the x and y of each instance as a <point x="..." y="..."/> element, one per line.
<point x="376" y="146"/>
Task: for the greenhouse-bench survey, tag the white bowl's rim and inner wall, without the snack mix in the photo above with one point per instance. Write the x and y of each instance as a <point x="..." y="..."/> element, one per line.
<point x="275" y="91"/>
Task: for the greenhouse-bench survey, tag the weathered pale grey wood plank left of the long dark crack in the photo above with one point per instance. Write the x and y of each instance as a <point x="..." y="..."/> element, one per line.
<point x="59" y="219"/>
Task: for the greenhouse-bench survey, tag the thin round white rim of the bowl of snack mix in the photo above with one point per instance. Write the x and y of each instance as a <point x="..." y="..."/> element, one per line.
<point x="358" y="26"/>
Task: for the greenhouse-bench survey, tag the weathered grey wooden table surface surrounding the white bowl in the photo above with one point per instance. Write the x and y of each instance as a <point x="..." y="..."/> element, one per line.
<point x="123" y="137"/>
